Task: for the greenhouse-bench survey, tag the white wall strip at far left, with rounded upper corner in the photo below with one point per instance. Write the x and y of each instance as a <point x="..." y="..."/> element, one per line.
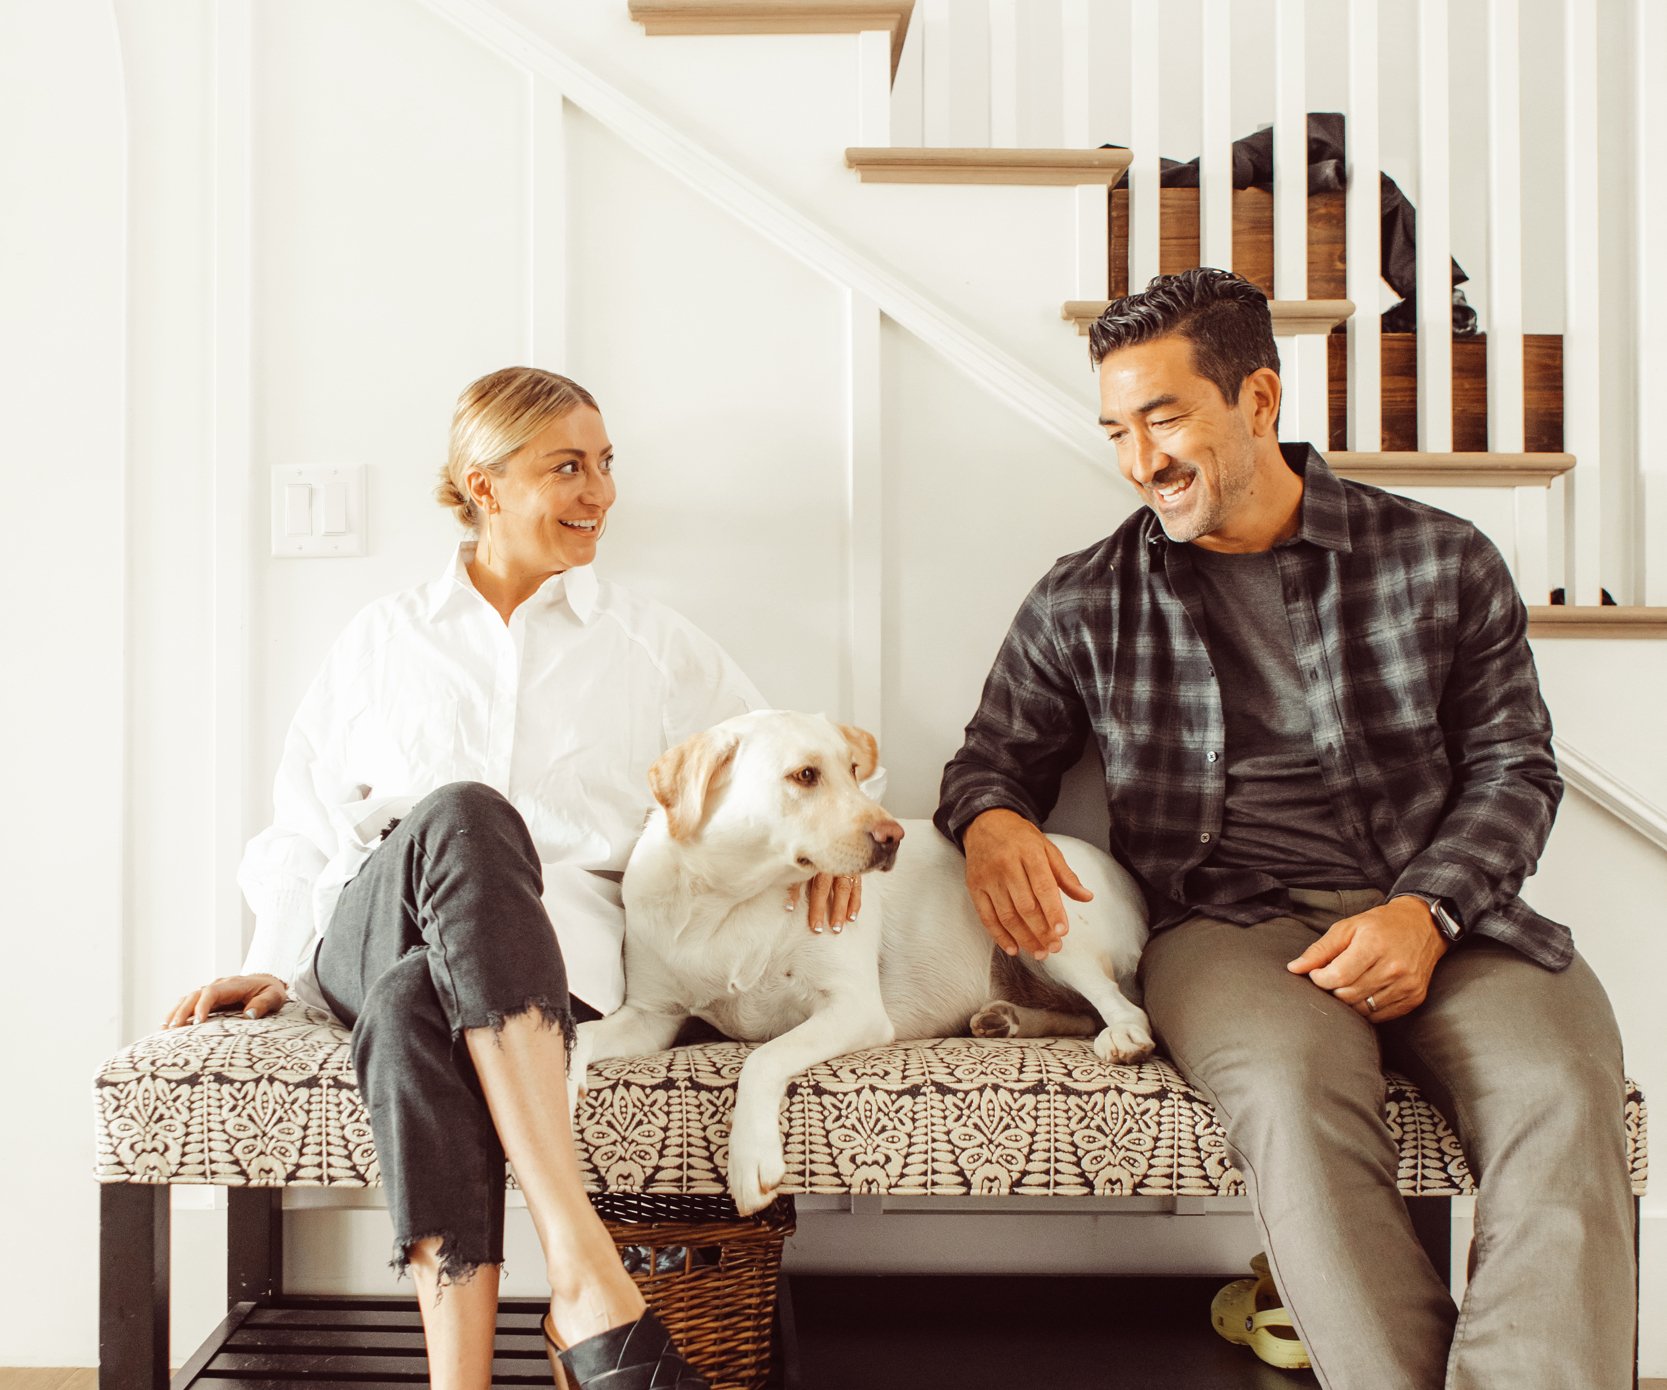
<point x="64" y="571"/>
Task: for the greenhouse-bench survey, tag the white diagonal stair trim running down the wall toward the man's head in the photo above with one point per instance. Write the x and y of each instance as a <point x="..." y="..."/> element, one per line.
<point x="1023" y="389"/>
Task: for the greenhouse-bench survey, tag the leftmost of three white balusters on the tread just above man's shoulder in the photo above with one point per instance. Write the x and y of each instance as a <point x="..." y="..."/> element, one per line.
<point x="1364" y="252"/>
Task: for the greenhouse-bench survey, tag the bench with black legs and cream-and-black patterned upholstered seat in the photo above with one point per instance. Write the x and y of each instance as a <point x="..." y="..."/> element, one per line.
<point x="269" y="1104"/>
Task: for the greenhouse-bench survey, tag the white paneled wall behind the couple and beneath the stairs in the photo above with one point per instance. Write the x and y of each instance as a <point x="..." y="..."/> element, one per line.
<point x="401" y="181"/>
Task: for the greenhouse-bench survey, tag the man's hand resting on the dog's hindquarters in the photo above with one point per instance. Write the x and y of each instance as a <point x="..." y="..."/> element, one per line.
<point x="1016" y="876"/>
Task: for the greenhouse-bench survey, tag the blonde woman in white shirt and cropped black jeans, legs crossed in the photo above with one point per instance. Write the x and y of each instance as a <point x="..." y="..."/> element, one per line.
<point x="469" y="769"/>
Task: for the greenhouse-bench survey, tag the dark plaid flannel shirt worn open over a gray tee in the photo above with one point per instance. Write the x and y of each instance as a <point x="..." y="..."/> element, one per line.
<point x="1411" y="642"/>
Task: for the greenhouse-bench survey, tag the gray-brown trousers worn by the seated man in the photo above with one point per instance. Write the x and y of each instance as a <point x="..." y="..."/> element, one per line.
<point x="1526" y="1066"/>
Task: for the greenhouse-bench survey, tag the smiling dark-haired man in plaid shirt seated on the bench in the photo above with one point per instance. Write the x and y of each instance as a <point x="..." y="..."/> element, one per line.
<point x="1329" y="764"/>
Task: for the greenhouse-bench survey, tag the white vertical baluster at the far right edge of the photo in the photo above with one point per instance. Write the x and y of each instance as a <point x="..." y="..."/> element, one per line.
<point x="1651" y="344"/>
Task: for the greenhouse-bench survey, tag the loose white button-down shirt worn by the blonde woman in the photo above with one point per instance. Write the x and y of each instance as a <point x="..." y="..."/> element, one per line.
<point x="563" y="711"/>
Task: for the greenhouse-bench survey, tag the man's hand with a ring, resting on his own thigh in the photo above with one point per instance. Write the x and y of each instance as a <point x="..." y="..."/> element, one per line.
<point x="1388" y="954"/>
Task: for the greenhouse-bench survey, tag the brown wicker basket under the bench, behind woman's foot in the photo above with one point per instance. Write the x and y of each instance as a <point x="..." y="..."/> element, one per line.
<point x="709" y="1274"/>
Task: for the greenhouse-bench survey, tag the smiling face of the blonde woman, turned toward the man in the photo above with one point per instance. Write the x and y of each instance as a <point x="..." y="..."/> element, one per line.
<point x="546" y="509"/>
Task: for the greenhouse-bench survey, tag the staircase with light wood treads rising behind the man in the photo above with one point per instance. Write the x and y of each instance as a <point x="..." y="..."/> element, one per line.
<point x="1468" y="464"/>
